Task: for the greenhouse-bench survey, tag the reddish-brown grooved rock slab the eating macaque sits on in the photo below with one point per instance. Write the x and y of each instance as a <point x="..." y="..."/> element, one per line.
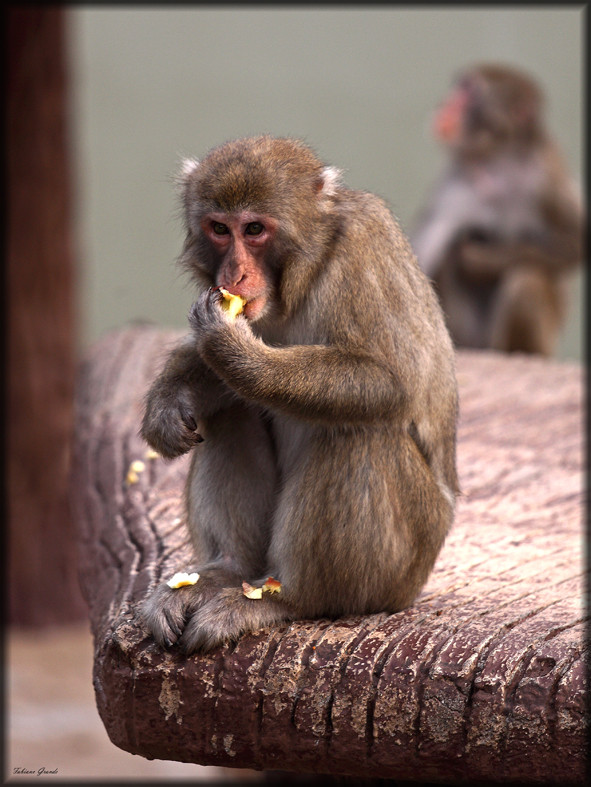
<point x="483" y="678"/>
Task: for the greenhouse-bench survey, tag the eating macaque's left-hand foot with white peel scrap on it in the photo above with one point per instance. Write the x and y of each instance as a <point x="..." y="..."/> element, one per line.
<point x="167" y="610"/>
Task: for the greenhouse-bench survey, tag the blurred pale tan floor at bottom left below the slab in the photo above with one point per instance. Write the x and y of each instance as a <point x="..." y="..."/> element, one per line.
<point x="51" y="720"/>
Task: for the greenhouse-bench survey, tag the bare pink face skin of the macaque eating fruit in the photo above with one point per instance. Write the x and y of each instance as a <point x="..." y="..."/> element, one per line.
<point x="242" y="241"/>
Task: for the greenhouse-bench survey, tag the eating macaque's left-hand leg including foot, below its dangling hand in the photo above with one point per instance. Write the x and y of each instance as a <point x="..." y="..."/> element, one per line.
<point x="229" y="496"/>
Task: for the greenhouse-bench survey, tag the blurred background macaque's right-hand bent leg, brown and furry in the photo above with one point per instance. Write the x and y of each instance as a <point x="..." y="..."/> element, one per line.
<point x="528" y="313"/>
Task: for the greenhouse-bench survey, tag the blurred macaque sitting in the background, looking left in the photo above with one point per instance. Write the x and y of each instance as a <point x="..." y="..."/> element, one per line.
<point x="503" y="229"/>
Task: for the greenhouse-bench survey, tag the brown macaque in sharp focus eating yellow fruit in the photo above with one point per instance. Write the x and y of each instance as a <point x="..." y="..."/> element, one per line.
<point x="322" y="418"/>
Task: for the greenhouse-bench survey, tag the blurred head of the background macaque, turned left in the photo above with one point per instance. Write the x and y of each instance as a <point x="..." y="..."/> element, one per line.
<point x="490" y="107"/>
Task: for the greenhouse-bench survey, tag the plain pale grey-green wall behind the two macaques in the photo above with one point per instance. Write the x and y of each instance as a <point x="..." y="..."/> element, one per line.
<point x="153" y="84"/>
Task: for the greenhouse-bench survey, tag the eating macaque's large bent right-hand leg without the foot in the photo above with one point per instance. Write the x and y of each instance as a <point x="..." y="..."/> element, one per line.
<point x="358" y="528"/>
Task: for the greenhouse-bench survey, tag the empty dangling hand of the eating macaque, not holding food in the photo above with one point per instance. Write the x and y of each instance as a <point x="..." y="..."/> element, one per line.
<point x="169" y="423"/>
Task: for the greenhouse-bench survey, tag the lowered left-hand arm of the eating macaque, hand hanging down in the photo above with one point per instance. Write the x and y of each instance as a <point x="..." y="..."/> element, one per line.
<point x="186" y="391"/>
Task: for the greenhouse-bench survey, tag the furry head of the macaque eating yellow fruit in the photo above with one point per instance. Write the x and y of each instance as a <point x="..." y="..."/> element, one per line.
<point x="256" y="209"/>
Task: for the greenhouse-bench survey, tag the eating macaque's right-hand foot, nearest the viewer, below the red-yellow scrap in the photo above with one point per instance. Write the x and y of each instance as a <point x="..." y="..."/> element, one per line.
<point x="228" y="615"/>
